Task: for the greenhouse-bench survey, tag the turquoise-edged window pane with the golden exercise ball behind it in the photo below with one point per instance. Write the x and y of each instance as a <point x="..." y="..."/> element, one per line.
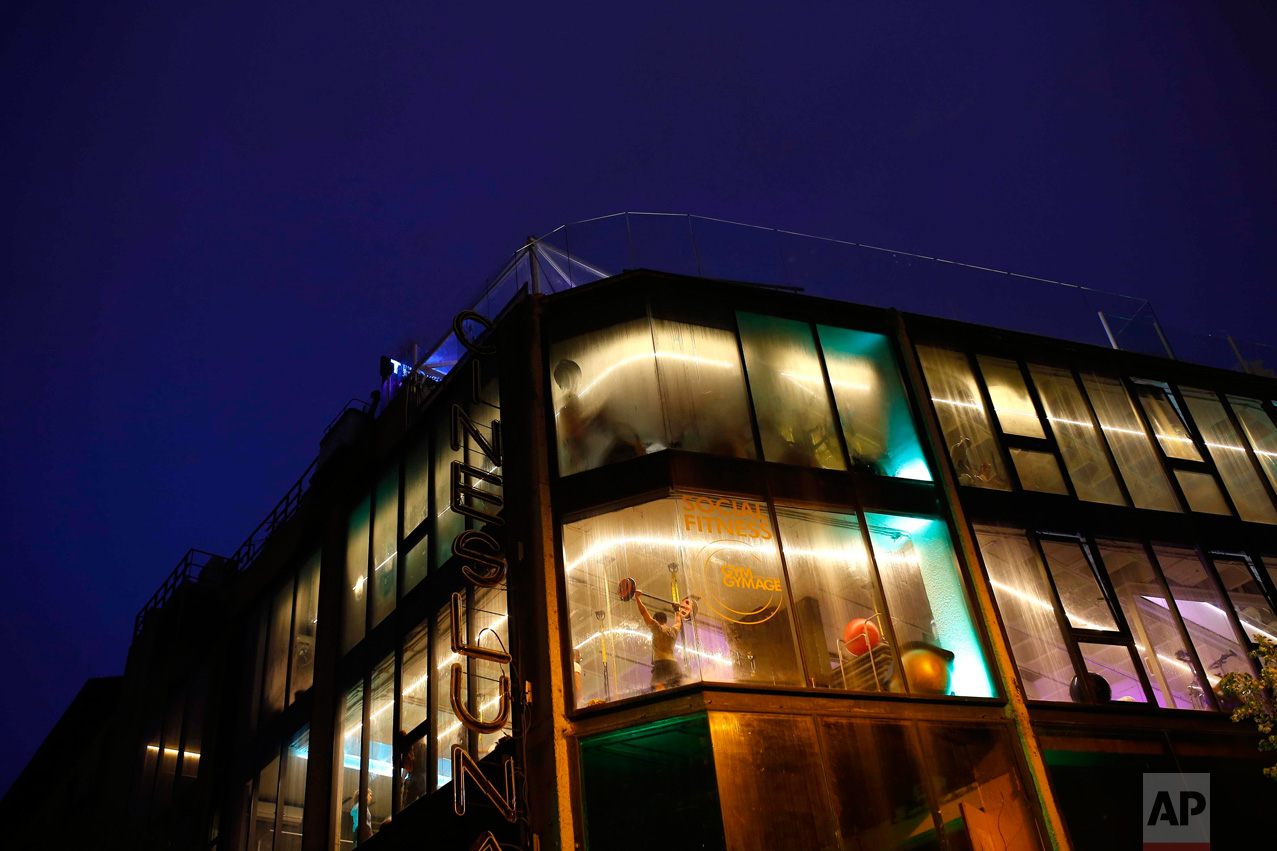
<point x="941" y="650"/>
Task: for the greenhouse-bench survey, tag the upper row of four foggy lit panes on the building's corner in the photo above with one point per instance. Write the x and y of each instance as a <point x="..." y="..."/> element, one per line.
<point x="822" y="397"/>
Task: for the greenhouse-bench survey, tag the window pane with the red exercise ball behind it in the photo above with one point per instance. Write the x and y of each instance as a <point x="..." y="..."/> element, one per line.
<point x="838" y="602"/>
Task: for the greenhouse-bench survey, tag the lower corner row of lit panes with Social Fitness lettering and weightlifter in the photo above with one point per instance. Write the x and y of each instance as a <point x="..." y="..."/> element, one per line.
<point x="635" y="576"/>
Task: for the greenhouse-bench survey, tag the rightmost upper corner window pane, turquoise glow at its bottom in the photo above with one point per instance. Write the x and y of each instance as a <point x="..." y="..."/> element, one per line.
<point x="872" y="403"/>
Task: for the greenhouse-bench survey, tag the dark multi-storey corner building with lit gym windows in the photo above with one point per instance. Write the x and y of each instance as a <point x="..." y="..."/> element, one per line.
<point x="671" y="562"/>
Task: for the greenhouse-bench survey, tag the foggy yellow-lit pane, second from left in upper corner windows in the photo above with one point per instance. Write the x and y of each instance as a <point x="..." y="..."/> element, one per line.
<point x="703" y="389"/>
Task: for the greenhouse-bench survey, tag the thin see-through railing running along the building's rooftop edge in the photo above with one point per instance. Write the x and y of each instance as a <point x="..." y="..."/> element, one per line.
<point x="597" y="249"/>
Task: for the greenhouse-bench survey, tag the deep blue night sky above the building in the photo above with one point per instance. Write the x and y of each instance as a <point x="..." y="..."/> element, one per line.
<point x="220" y="215"/>
